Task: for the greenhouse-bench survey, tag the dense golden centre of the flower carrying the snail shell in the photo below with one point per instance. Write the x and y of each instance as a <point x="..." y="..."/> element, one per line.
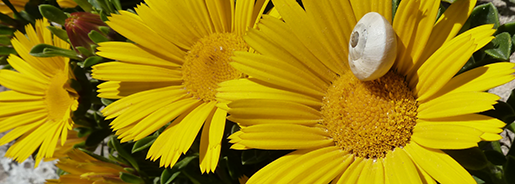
<point x="369" y="118"/>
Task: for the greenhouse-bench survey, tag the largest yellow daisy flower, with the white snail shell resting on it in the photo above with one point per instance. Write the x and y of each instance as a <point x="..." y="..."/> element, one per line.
<point x="302" y="96"/>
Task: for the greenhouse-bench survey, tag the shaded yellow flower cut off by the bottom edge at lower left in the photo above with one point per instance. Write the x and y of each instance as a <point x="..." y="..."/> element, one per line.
<point x="81" y="168"/>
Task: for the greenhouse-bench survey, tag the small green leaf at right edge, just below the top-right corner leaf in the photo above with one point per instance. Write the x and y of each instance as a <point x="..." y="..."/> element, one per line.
<point x="500" y="47"/>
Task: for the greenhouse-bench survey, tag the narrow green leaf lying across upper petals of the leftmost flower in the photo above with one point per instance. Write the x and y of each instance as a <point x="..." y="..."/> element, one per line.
<point x="44" y="50"/>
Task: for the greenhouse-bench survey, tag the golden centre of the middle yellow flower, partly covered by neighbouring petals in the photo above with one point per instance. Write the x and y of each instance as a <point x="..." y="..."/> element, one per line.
<point x="207" y="64"/>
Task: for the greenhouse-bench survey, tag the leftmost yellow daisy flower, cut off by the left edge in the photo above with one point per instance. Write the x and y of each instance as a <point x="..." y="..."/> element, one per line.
<point x="38" y="109"/>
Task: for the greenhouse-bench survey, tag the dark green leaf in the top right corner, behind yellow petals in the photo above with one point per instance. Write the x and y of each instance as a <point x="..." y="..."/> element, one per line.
<point x="482" y="14"/>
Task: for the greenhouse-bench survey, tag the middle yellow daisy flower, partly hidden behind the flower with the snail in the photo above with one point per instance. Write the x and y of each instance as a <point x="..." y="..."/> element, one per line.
<point x="182" y="51"/>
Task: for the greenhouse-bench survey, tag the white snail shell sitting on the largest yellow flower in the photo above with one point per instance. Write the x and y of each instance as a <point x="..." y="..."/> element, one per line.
<point x="372" y="47"/>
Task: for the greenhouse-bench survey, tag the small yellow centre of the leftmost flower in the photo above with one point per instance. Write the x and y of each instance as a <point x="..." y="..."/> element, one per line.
<point x="60" y="98"/>
